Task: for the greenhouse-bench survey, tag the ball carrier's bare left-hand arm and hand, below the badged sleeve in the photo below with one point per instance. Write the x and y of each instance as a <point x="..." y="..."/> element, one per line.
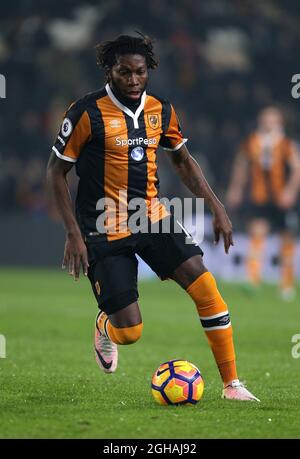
<point x="75" y="253"/>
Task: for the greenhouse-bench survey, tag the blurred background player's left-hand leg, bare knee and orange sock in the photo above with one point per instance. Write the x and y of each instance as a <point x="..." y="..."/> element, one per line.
<point x="258" y="229"/>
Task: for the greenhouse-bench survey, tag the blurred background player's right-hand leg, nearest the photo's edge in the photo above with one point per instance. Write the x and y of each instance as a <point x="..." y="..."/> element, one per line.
<point x="287" y="261"/>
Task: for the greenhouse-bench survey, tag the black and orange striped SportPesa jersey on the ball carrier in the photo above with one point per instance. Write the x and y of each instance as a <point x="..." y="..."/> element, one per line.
<point x="115" y="151"/>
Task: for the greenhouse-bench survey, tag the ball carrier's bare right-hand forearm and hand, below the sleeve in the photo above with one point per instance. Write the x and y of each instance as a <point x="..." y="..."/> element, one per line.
<point x="192" y="176"/>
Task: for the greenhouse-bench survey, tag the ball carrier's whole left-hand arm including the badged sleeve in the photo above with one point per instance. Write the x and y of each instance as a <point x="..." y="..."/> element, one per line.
<point x="74" y="133"/>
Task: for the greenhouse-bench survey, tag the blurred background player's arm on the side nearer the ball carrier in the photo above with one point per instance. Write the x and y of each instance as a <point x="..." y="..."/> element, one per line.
<point x="238" y="180"/>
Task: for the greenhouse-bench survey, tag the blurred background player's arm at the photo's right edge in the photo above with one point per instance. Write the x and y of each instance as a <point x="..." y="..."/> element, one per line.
<point x="290" y="192"/>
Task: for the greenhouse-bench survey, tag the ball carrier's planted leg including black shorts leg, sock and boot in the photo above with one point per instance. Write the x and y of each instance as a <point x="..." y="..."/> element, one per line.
<point x="170" y="256"/>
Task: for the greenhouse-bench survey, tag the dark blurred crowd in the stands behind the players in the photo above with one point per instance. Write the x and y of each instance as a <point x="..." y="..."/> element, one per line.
<point x="220" y="62"/>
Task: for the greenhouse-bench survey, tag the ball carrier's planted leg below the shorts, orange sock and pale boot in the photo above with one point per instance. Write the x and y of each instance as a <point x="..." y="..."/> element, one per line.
<point x="214" y="316"/>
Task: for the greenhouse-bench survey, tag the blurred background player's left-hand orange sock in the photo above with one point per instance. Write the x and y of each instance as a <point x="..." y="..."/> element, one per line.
<point x="255" y="259"/>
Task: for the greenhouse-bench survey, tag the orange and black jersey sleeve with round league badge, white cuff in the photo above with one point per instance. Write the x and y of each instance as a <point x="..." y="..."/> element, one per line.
<point x="74" y="133"/>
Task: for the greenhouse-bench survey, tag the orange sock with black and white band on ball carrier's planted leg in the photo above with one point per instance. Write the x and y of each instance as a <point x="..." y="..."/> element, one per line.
<point x="215" y="320"/>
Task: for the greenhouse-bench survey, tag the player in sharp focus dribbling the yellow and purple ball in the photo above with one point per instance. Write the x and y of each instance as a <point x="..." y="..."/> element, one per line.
<point x="112" y="136"/>
